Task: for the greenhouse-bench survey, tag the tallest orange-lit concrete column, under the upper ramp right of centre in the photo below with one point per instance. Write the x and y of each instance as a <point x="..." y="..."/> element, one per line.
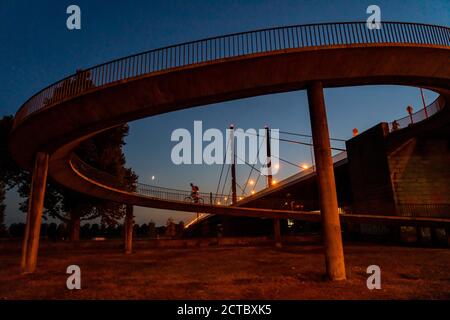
<point x="334" y="253"/>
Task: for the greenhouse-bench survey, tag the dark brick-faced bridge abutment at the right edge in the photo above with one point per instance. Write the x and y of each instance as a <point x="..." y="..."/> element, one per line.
<point x="411" y="179"/>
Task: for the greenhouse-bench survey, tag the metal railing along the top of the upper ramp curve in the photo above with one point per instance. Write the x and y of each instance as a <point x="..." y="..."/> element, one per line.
<point x="230" y="46"/>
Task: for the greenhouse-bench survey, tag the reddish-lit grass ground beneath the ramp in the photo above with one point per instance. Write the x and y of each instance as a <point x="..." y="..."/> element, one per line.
<point x="218" y="272"/>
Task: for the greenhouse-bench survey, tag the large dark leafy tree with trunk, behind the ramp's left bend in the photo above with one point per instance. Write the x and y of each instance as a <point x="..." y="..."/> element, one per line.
<point x="103" y="152"/>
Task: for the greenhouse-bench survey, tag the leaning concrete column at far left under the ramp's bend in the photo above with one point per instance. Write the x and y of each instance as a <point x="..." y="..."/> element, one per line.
<point x="30" y="244"/>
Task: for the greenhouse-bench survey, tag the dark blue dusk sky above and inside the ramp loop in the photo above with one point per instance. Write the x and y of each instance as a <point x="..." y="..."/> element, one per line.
<point x="36" y="49"/>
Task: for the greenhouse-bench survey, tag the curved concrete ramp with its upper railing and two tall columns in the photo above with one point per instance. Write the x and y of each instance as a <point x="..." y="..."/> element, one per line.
<point x="50" y="125"/>
